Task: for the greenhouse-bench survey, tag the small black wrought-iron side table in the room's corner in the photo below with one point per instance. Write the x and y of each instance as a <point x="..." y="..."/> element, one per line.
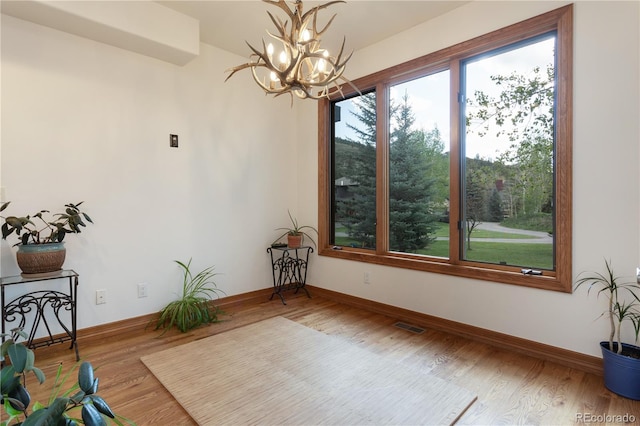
<point x="289" y="267"/>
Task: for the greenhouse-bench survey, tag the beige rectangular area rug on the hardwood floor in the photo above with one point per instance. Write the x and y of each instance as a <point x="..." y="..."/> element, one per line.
<point x="278" y="372"/>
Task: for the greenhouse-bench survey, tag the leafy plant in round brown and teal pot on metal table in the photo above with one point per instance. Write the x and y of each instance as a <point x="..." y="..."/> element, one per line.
<point x="40" y="239"/>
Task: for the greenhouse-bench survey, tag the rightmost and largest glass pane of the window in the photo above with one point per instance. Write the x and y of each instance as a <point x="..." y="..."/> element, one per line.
<point x="507" y="155"/>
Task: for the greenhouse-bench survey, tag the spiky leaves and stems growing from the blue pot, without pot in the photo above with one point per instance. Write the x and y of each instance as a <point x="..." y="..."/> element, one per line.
<point x="620" y="308"/>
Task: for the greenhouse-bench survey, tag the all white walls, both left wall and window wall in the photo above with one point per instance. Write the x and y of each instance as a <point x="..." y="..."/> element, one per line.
<point x="103" y="116"/>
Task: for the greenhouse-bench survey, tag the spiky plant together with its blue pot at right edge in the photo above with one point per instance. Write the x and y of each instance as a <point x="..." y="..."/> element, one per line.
<point x="621" y="361"/>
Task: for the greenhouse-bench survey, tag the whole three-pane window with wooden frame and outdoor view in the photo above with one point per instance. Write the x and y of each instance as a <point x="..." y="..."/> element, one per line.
<point x="458" y="162"/>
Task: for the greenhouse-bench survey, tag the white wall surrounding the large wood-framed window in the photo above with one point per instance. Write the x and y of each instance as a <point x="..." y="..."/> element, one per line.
<point x="606" y="179"/>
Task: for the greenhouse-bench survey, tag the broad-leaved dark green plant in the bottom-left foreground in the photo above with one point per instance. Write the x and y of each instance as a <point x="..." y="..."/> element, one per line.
<point x="62" y="408"/>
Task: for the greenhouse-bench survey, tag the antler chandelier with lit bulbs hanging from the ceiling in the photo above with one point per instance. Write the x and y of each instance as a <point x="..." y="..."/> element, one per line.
<point x="298" y="65"/>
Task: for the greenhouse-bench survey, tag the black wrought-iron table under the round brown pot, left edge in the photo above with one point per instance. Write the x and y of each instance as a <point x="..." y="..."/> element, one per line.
<point x="37" y="304"/>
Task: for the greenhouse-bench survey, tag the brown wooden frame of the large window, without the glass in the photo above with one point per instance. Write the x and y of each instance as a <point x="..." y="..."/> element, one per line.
<point x="558" y="20"/>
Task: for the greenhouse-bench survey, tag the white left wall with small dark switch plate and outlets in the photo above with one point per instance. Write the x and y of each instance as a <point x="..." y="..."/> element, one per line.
<point x="86" y="121"/>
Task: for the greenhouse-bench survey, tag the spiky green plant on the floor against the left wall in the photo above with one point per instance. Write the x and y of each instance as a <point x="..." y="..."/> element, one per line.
<point x="195" y="307"/>
